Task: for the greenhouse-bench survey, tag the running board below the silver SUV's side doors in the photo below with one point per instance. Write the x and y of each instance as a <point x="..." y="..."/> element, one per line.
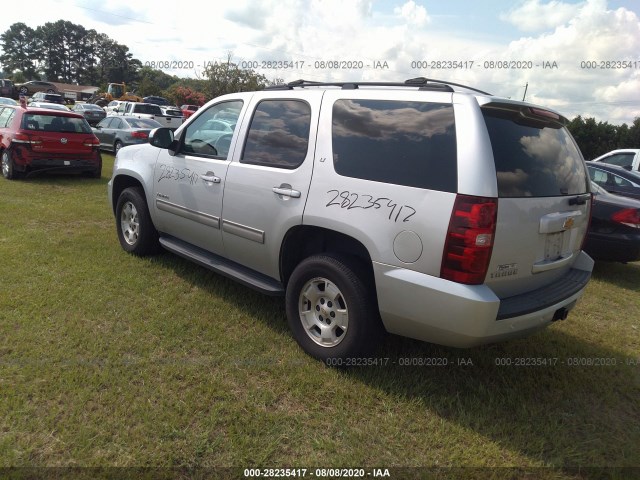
<point x="223" y="266"/>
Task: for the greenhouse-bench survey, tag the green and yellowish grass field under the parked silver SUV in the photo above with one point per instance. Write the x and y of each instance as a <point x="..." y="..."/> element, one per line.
<point x="111" y="360"/>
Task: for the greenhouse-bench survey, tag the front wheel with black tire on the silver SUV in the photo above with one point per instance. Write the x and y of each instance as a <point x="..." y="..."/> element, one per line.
<point x="135" y="229"/>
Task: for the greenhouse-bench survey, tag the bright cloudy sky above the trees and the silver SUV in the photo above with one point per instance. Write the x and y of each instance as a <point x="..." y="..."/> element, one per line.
<point x="384" y="39"/>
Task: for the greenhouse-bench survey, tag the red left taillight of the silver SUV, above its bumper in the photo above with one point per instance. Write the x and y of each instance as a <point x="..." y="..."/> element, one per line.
<point x="467" y="249"/>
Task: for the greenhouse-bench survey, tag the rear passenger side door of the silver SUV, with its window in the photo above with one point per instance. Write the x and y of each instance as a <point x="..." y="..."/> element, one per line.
<point x="268" y="181"/>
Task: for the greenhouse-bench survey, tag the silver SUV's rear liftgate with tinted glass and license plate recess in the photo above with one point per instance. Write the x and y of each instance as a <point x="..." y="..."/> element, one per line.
<point x="544" y="200"/>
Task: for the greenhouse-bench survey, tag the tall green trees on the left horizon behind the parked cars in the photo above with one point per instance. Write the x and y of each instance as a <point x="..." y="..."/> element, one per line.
<point x="64" y="52"/>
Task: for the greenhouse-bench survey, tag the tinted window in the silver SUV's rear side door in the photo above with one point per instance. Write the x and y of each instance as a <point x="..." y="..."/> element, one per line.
<point x="279" y="134"/>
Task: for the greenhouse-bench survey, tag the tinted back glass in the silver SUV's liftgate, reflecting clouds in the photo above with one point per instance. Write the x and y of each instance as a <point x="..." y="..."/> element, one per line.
<point x="534" y="159"/>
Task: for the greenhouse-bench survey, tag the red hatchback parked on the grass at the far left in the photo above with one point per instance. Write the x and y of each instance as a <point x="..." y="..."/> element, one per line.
<point x="38" y="139"/>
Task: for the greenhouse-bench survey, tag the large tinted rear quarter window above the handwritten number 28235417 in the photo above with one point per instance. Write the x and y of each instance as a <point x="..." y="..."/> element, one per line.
<point x="398" y="142"/>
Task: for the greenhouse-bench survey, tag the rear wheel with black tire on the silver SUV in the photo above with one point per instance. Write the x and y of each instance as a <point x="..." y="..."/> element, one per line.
<point x="333" y="294"/>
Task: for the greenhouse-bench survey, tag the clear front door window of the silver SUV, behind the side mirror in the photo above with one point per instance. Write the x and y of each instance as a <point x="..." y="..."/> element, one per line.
<point x="205" y="138"/>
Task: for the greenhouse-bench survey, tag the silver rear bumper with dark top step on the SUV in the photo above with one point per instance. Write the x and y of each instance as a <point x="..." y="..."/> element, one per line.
<point x="434" y="310"/>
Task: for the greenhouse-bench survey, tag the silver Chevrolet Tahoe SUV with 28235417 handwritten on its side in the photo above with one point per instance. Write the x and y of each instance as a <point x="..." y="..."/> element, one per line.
<point x="425" y="209"/>
